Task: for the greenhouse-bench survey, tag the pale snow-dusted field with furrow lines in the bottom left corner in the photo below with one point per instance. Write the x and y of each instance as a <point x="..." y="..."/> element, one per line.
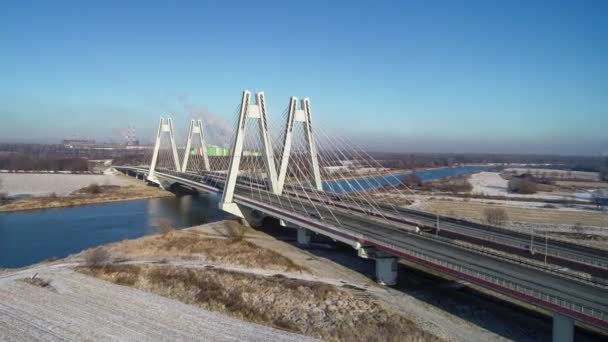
<point x="84" y="308"/>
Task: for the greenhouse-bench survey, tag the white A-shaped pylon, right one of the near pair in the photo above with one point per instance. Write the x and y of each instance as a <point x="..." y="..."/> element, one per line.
<point x="302" y="115"/>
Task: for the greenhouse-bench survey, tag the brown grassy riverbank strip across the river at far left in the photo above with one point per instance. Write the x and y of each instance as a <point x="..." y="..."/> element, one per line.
<point x="91" y="194"/>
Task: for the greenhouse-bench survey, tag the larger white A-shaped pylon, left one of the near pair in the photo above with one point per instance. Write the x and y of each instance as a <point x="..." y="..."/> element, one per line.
<point x="258" y="112"/>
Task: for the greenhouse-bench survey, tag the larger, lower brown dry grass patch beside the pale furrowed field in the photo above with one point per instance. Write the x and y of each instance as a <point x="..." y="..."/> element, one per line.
<point x="315" y="309"/>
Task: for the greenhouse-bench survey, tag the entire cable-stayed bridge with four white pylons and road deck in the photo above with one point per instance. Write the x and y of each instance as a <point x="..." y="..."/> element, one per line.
<point x="319" y="182"/>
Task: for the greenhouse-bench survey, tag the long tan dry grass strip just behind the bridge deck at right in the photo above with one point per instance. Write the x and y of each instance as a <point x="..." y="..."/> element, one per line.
<point x="475" y="211"/>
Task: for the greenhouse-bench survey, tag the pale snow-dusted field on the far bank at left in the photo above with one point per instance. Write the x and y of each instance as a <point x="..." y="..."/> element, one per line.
<point x="23" y="184"/>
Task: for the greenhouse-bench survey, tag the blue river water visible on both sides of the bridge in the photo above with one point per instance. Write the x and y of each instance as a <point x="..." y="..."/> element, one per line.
<point x="32" y="236"/>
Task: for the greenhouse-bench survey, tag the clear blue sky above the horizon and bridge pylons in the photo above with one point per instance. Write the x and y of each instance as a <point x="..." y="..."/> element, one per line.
<point x="452" y="76"/>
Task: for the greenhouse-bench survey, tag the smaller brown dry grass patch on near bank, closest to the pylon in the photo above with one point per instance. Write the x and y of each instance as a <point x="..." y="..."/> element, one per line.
<point x="192" y="244"/>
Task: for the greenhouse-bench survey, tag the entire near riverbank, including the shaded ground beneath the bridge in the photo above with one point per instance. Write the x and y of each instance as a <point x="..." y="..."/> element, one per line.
<point x="327" y="295"/>
